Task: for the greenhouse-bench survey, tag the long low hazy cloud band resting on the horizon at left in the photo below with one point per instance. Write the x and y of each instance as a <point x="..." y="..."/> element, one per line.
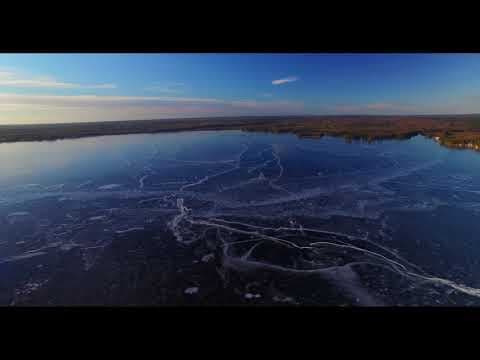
<point x="22" y="108"/>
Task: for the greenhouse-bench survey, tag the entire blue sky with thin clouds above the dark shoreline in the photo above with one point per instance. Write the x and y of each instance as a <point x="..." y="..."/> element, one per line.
<point x="49" y="88"/>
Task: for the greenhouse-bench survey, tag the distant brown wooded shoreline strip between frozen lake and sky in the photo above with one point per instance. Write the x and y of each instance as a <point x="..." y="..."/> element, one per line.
<point x="456" y="131"/>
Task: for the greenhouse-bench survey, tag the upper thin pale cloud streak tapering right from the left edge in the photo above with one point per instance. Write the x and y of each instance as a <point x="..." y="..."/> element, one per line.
<point x="12" y="79"/>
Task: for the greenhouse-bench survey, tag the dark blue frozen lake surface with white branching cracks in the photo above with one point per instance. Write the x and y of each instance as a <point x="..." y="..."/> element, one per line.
<point x="238" y="218"/>
